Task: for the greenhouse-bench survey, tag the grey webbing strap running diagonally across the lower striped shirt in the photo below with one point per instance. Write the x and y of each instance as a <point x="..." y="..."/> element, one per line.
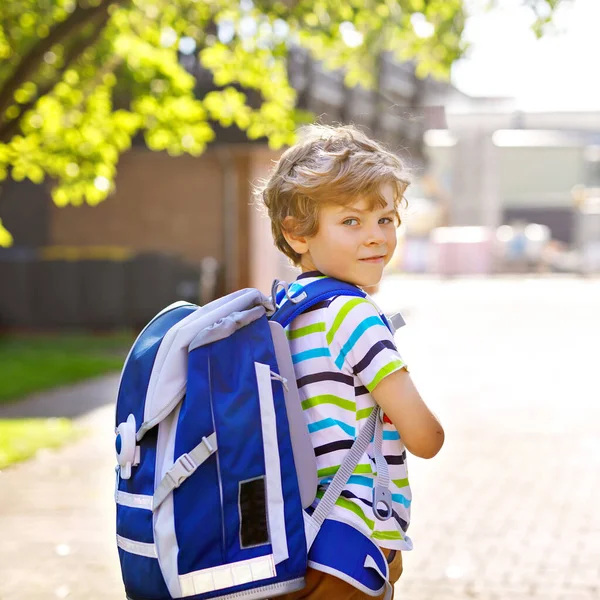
<point x="340" y="479"/>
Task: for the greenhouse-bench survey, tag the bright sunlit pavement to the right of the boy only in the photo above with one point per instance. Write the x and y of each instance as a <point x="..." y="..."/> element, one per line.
<point x="509" y="508"/>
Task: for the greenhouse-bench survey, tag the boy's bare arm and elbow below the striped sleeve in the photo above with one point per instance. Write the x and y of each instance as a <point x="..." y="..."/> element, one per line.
<point x="419" y="429"/>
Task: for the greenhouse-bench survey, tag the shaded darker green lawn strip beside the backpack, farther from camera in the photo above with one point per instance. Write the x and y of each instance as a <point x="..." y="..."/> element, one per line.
<point x="34" y="363"/>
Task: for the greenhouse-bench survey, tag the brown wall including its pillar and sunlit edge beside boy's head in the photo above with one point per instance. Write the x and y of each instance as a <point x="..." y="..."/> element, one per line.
<point x="178" y="205"/>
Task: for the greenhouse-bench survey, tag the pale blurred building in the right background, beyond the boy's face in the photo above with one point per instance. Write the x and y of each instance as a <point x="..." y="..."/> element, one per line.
<point x="499" y="165"/>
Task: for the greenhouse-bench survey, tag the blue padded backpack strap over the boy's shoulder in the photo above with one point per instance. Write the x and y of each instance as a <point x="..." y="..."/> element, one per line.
<point x="308" y="296"/>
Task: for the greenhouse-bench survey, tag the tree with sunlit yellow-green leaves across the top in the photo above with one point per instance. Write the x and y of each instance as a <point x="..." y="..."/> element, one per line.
<point x="80" y="78"/>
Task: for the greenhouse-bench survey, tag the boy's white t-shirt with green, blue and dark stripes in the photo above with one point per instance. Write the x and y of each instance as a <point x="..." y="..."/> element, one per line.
<point x="341" y="350"/>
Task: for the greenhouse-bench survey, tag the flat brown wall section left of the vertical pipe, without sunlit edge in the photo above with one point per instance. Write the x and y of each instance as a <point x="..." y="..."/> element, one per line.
<point x="162" y="203"/>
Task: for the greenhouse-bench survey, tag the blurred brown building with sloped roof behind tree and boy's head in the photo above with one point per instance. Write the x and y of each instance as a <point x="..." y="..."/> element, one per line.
<point x="198" y="207"/>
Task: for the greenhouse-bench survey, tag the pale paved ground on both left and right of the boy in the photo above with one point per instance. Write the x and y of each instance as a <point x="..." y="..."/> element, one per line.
<point x="508" y="510"/>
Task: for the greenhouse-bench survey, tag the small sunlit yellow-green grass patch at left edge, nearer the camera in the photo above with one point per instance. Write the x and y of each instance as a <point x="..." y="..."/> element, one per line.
<point x="22" y="438"/>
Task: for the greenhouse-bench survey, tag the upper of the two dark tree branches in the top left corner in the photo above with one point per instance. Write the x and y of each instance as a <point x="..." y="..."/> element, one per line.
<point x="31" y="61"/>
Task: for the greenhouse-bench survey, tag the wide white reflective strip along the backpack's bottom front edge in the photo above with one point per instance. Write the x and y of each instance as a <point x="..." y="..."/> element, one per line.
<point x="225" y="576"/>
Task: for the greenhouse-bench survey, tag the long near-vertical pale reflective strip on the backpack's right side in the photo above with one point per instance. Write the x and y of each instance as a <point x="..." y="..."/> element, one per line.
<point x="275" y="504"/>
